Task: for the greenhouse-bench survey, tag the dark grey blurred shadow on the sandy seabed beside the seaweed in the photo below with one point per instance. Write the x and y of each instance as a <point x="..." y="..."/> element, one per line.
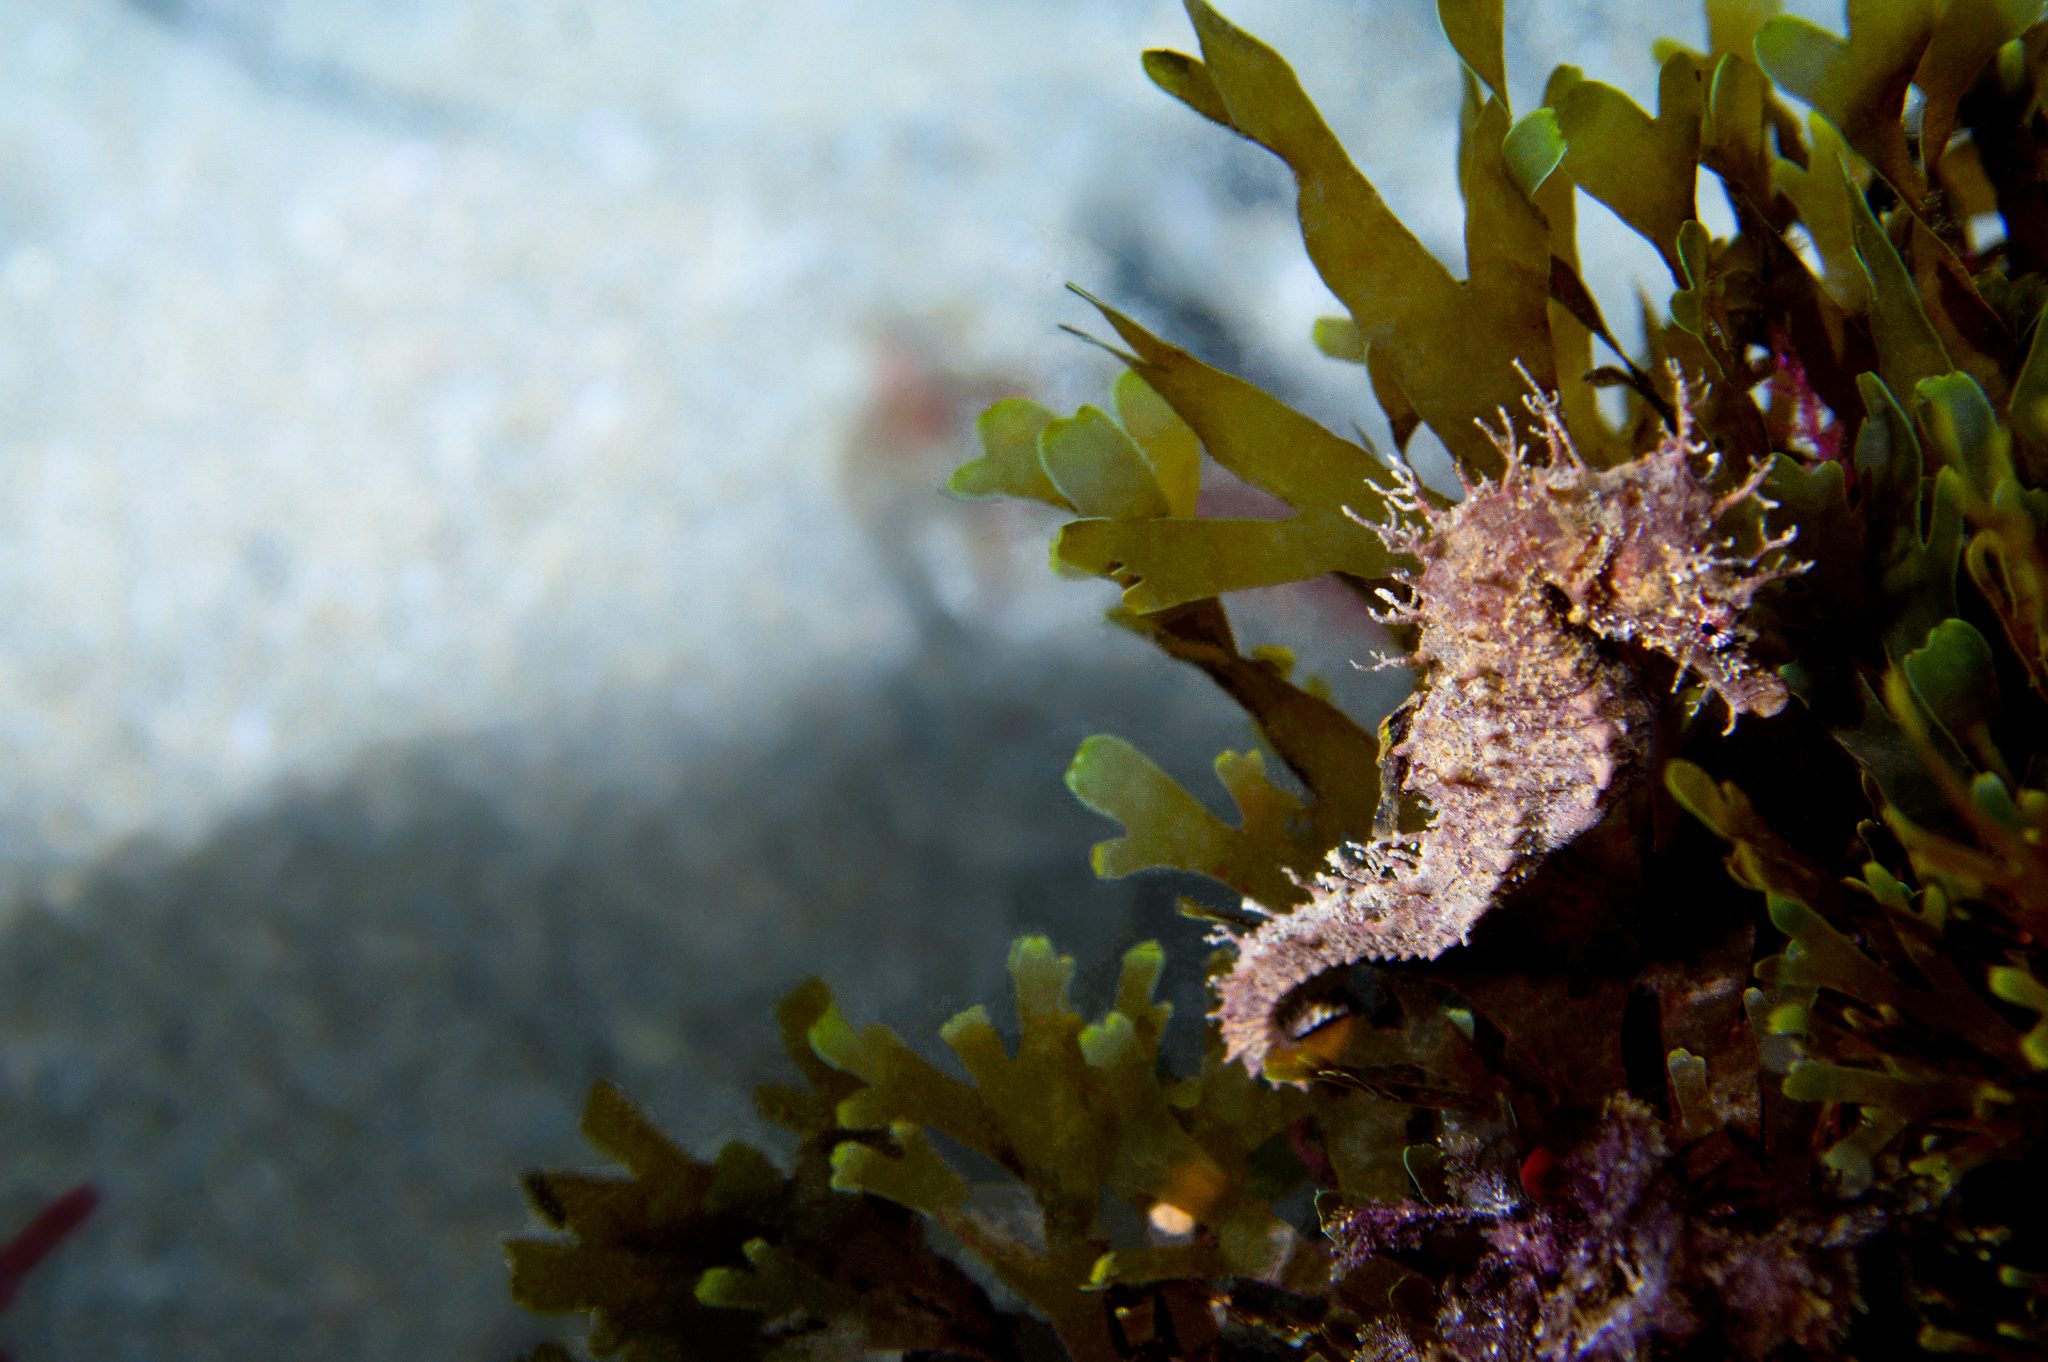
<point x="308" y="1058"/>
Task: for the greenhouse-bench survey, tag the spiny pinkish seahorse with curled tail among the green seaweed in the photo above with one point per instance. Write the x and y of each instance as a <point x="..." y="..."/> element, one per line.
<point x="1529" y="722"/>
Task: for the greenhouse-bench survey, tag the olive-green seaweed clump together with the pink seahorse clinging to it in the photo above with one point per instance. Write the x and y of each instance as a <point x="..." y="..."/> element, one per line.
<point x="1560" y="1084"/>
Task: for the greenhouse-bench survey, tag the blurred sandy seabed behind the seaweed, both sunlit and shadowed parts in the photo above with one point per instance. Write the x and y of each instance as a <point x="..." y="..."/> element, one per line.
<point x="476" y="605"/>
